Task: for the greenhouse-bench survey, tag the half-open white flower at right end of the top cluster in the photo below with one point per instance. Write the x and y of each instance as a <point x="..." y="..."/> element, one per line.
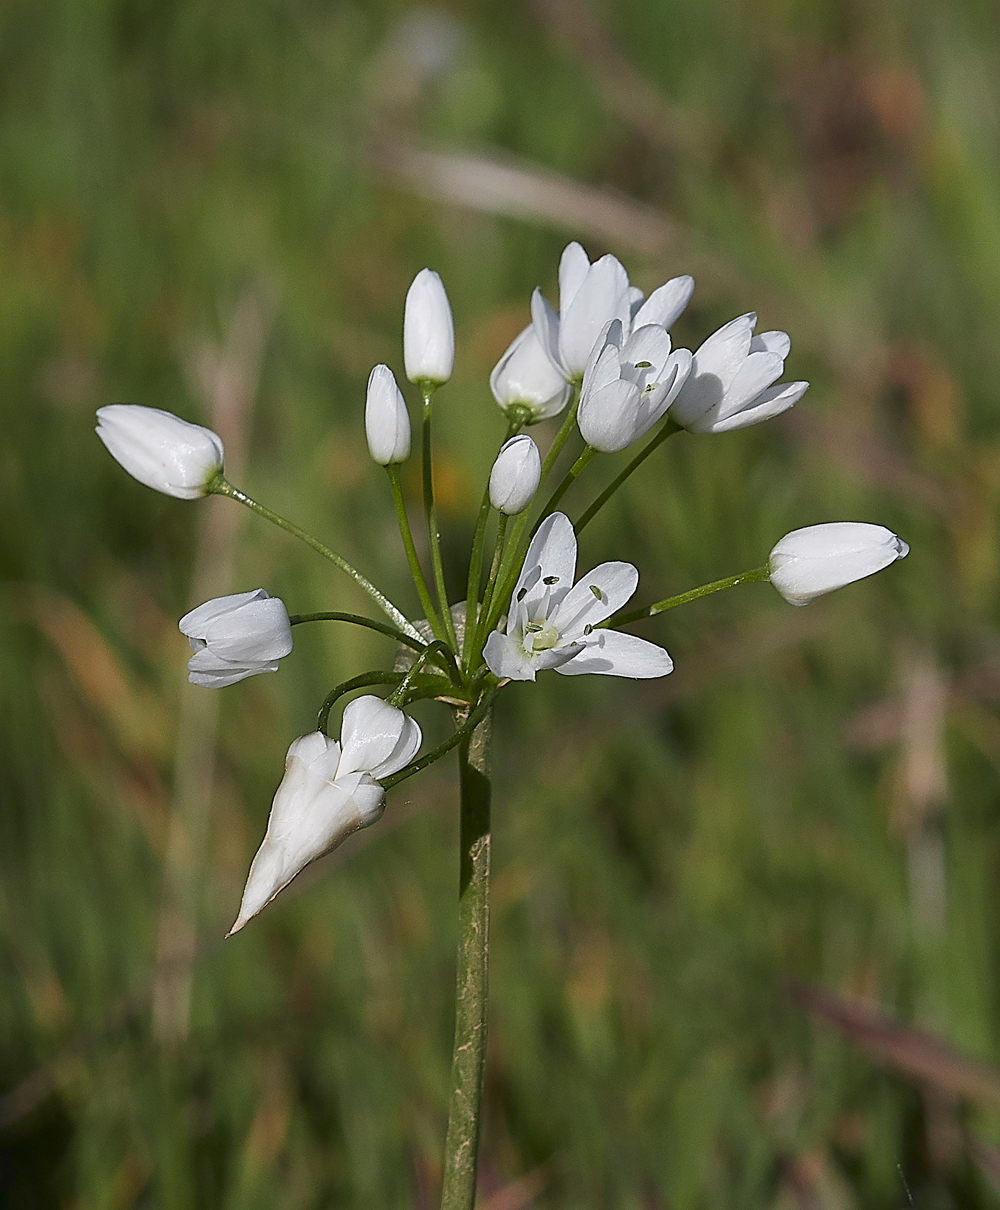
<point x="731" y="381"/>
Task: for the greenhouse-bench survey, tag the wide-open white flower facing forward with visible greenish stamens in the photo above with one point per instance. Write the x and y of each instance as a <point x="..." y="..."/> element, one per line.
<point x="551" y="623"/>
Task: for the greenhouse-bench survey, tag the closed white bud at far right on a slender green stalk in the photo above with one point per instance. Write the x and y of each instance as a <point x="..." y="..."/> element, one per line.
<point x="814" y="561"/>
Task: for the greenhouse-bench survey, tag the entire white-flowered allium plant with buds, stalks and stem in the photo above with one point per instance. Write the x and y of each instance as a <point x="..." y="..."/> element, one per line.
<point x="606" y="361"/>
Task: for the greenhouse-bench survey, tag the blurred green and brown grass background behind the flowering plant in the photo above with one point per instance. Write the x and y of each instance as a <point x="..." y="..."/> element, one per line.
<point x="216" y="209"/>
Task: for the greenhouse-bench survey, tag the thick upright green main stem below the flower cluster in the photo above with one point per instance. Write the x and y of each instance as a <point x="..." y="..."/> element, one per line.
<point x="462" y="1146"/>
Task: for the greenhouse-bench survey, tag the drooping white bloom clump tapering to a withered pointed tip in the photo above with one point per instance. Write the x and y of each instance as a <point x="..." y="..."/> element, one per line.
<point x="330" y="791"/>
